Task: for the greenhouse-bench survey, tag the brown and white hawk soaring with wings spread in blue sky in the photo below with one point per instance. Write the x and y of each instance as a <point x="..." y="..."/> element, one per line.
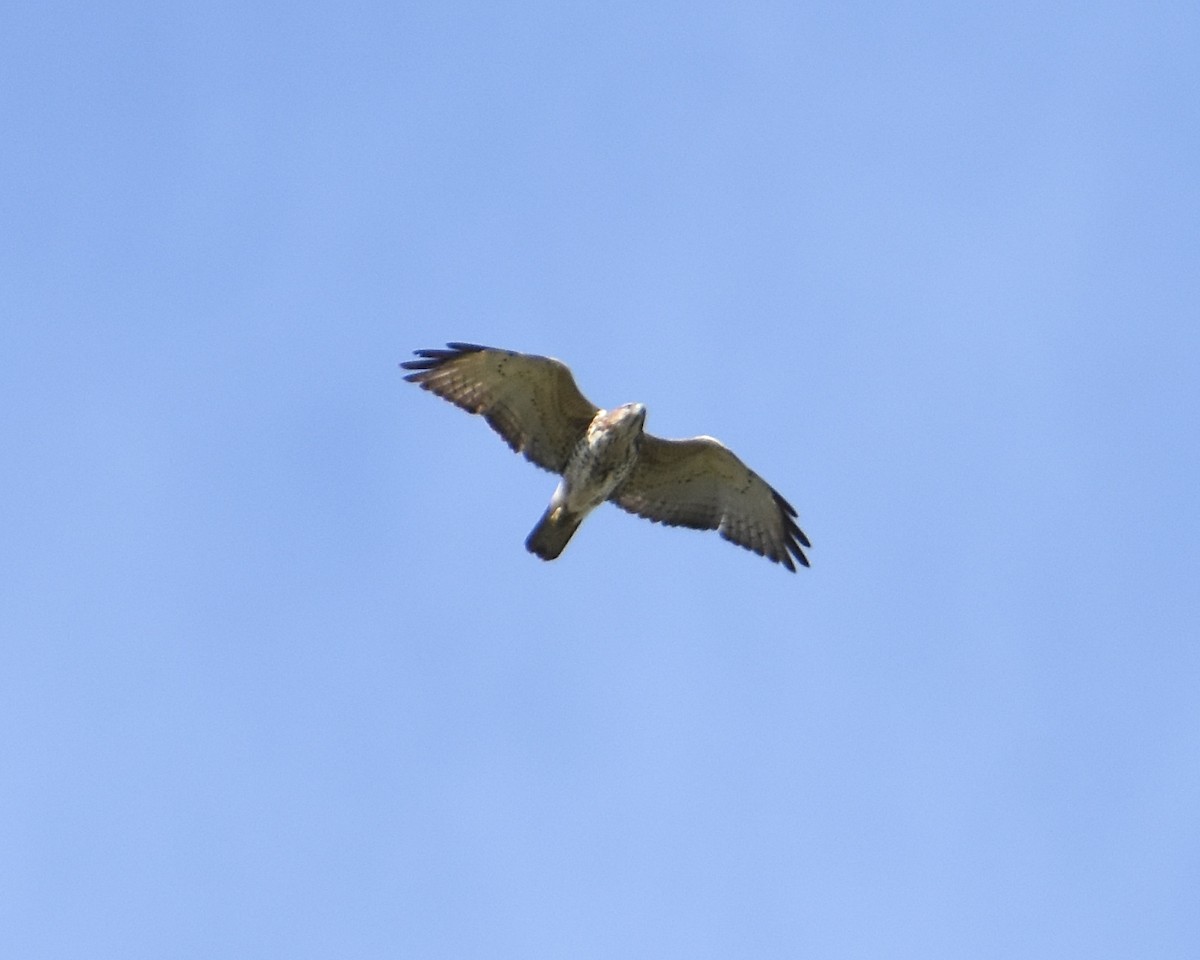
<point x="607" y="455"/>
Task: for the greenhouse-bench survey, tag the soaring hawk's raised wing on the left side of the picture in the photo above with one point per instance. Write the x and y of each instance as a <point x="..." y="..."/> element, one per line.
<point x="531" y="401"/>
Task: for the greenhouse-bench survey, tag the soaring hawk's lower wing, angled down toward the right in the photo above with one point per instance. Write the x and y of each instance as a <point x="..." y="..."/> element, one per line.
<point x="703" y="484"/>
